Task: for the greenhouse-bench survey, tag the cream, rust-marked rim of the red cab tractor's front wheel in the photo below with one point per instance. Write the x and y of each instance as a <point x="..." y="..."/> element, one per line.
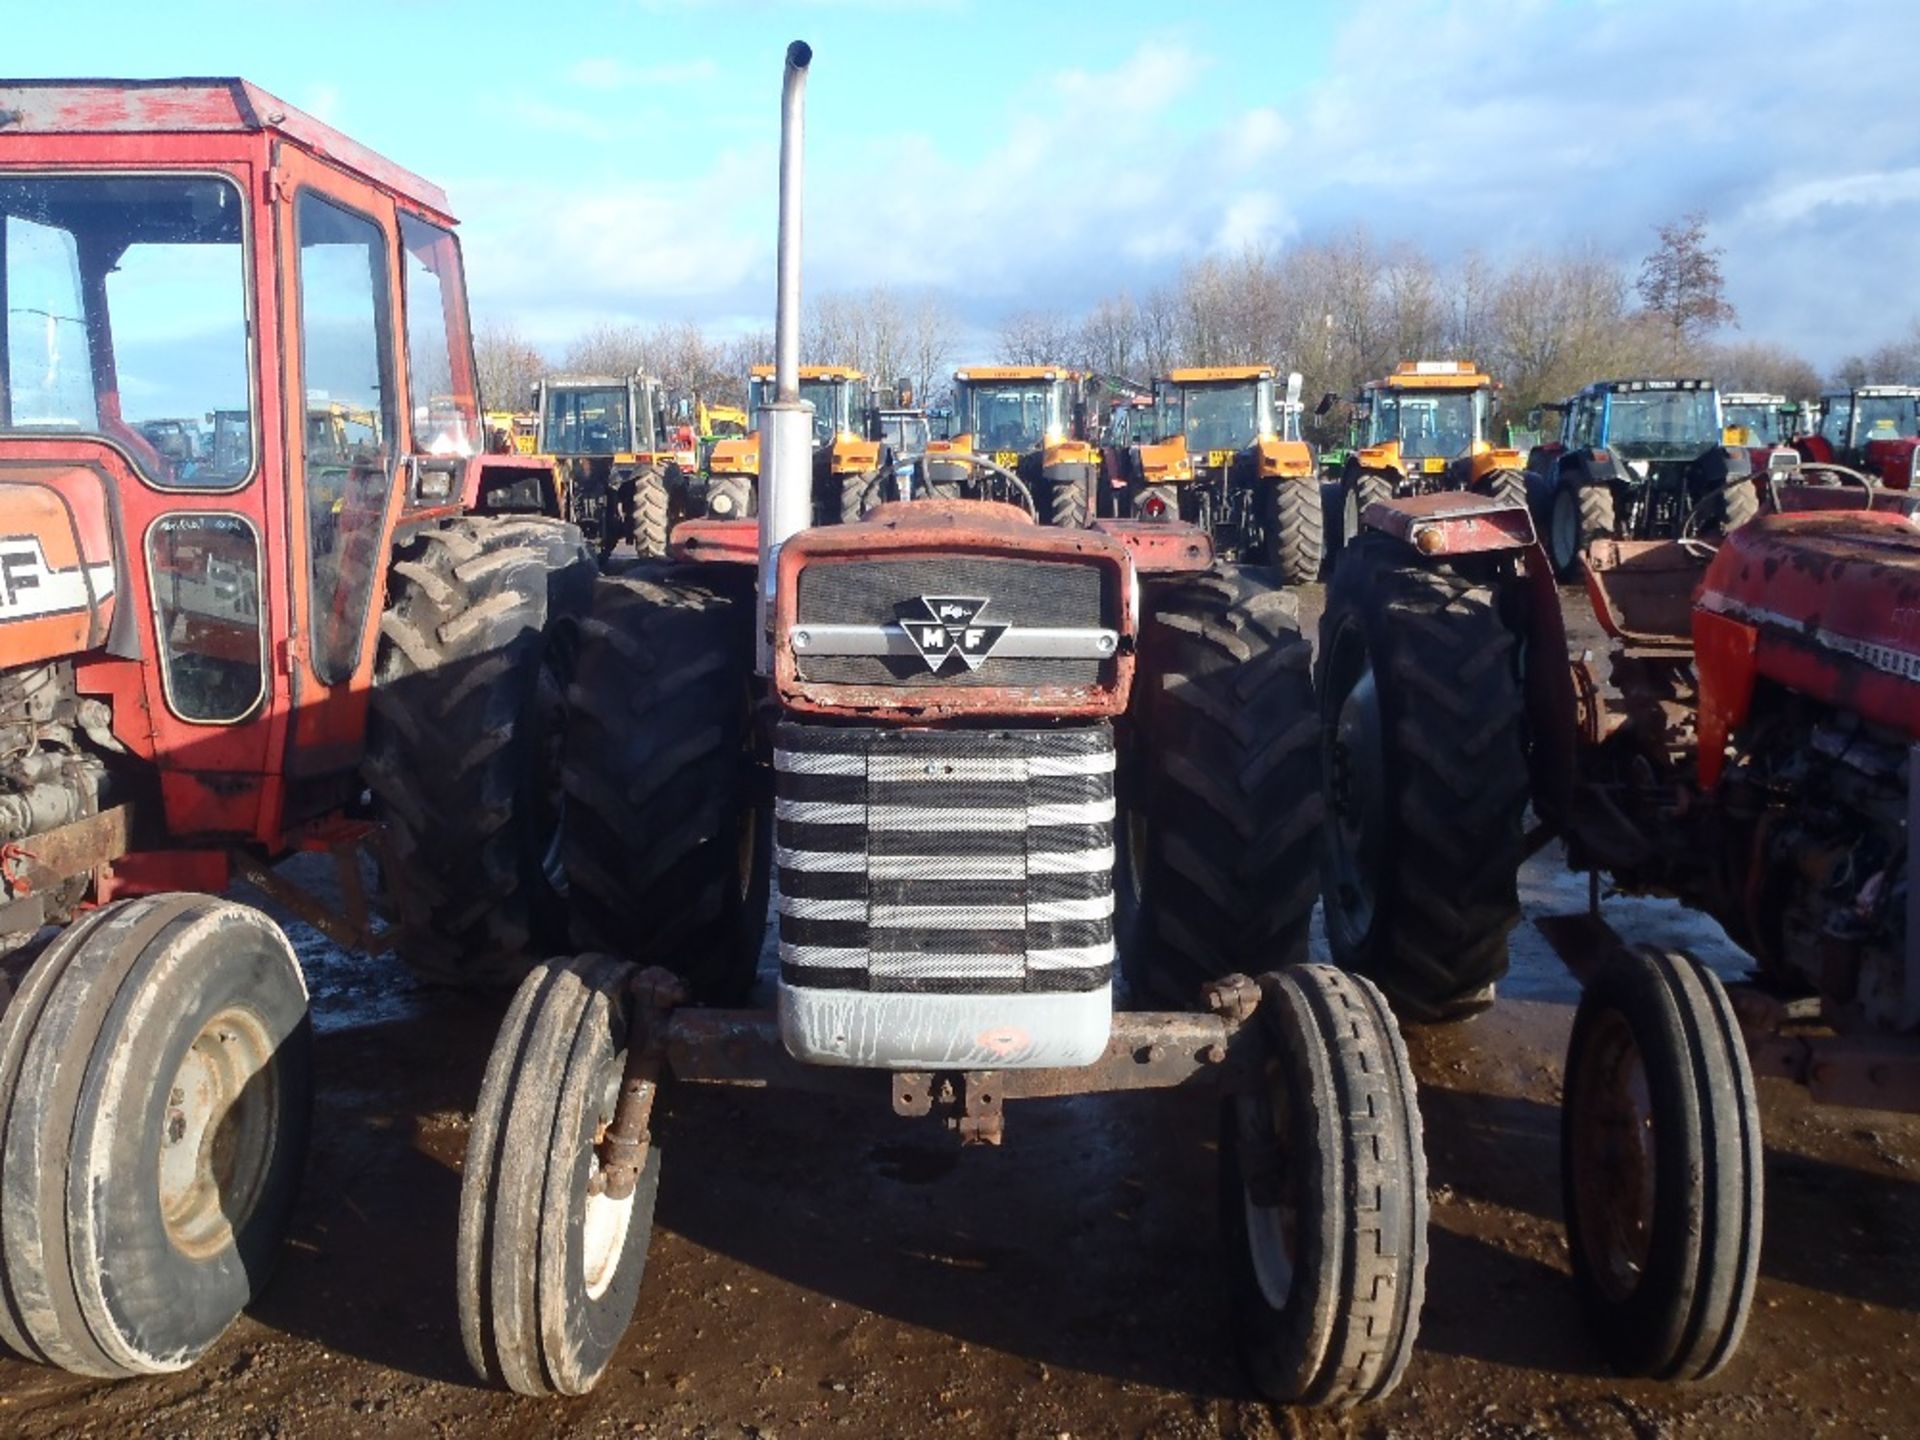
<point x="220" y="1134"/>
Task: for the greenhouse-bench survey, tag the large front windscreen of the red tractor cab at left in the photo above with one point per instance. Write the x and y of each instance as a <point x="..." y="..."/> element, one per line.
<point x="126" y="318"/>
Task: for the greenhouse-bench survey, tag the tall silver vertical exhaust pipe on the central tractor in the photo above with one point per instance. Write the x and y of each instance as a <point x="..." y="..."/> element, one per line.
<point x="786" y="425"/>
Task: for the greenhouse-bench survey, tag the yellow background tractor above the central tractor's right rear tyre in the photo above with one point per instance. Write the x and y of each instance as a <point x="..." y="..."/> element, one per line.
<point x="1232" y="462"/>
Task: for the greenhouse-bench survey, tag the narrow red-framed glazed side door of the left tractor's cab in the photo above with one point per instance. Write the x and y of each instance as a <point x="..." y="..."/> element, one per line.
<point x="345" y="404"/>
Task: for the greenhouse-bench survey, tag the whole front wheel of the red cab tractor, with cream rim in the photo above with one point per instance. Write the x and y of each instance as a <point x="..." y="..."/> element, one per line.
<point x="155" y="1093"/>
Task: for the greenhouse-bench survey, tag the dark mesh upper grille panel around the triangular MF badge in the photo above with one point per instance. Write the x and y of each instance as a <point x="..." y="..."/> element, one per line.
<point x="1020" y="594"/>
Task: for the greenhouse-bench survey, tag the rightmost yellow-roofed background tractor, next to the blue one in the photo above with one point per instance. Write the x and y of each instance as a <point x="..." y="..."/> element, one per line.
<point x="1424" y="429"/>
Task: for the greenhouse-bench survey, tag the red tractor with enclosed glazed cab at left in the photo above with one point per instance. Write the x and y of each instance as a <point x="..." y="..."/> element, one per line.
<point x="208" y="654"/>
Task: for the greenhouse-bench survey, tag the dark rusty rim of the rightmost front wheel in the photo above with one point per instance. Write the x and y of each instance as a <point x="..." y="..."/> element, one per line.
<point x="1614" y="1157"/>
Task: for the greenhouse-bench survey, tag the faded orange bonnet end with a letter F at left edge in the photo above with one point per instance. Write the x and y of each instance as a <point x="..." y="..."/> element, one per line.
<point x="59" y="571"/>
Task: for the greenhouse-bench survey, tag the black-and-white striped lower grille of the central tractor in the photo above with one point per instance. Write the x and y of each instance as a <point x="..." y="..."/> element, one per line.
<point x="946" y="863"/>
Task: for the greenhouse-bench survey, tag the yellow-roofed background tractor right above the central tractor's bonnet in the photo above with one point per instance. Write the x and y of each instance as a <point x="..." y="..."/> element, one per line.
<point x="1032" y="423"/>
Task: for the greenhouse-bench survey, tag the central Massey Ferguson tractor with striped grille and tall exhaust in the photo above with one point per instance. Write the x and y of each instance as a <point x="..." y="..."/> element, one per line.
<point x="988" y="759"/>
